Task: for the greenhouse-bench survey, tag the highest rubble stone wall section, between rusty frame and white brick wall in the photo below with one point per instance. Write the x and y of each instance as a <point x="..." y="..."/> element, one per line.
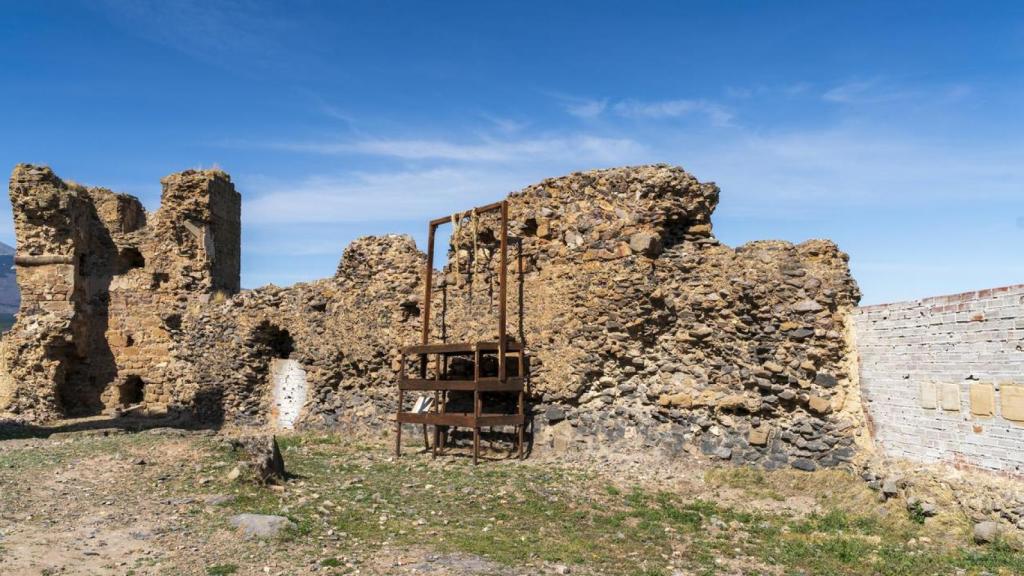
<point x="646" y="331"/>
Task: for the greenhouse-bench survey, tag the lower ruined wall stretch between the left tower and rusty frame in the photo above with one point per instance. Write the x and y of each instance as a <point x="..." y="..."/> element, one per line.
<point x="346" y="332"/>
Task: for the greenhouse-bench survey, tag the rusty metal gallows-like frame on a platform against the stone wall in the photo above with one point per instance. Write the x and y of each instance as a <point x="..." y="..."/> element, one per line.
<point x="440" y="385"/>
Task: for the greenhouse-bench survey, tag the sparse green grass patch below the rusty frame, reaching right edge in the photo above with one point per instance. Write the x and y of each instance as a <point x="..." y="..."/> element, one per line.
<point x="529" y="515"/>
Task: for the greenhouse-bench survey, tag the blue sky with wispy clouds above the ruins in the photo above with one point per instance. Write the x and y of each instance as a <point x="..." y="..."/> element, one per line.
<point x="897" y="130"/>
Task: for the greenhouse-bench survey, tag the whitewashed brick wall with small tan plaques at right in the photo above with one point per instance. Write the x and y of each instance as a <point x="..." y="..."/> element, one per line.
<point x="962" y="339"/>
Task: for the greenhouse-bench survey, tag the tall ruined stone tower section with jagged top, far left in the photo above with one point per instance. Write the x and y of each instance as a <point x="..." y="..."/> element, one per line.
<point x="105" y="286"/>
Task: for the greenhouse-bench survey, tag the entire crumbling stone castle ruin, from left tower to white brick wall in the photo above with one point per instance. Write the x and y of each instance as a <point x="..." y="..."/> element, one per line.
<point x="642" y="327"/>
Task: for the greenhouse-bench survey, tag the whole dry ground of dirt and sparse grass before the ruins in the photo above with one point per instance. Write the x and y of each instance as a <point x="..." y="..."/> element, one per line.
<point x="101" y="501"/>
